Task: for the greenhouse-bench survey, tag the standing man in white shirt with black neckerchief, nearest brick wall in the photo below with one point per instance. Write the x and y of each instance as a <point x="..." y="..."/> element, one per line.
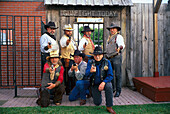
<point x="48" y="41"/>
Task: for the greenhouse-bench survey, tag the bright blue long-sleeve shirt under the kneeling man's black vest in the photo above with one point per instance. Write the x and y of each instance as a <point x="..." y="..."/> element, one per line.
<point x="97" y="78"/>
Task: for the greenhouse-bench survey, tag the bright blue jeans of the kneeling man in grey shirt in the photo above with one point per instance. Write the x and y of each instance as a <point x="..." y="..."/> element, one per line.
<point x="80" y="90"/>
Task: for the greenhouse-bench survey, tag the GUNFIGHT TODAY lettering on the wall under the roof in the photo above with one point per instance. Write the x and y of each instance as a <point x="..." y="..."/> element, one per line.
<point x="88" y="13"/>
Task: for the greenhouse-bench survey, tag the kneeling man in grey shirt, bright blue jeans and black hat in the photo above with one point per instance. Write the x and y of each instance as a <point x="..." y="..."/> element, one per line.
<point x="78" y="70"/>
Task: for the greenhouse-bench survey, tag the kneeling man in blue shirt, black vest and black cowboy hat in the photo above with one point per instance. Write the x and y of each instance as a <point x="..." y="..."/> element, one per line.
<point x="100" y="72"/>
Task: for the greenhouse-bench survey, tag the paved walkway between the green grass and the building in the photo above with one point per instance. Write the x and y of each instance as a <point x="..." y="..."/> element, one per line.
<point x="127" y="97"/>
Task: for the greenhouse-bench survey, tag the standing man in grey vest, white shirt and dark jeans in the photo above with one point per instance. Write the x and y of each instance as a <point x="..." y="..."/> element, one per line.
<point x="114" y="46"/>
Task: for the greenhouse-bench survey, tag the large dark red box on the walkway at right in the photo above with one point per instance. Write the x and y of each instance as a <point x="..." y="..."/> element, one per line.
<point x="155" y="88"/>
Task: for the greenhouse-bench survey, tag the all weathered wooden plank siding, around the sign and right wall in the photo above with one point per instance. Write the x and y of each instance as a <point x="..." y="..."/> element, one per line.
<point x="137" y="29"/>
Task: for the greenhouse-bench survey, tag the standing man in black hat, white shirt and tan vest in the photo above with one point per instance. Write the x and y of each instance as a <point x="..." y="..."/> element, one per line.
<point x="86" y="45"/>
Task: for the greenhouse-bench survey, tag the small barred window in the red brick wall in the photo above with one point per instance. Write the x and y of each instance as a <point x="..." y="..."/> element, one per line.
<point x="6" y="37"/>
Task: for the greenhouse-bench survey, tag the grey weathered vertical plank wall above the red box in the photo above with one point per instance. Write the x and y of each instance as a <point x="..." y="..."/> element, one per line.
<point x="141" y="50"/>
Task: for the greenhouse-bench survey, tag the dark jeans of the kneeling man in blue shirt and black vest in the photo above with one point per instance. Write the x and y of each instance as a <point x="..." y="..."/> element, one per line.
<point x="97" y="97"/>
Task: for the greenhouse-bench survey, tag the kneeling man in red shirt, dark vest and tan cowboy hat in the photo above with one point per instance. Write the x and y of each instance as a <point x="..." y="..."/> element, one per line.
<point x="52" y="79"/>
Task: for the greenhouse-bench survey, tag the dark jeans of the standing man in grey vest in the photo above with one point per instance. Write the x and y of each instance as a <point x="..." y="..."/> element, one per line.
<point x="116" y="63"/>
